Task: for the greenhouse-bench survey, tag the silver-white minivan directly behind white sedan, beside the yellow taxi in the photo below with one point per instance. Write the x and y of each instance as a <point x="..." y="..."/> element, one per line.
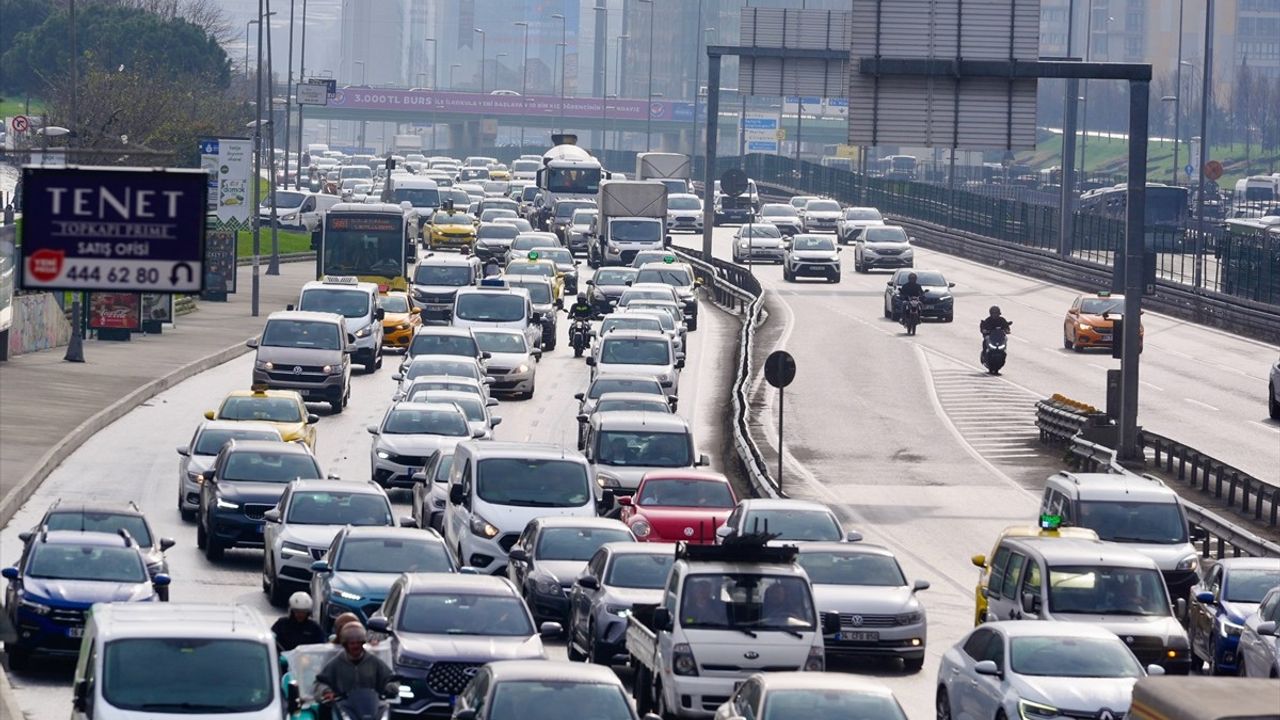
<point x="1095" y="582"/>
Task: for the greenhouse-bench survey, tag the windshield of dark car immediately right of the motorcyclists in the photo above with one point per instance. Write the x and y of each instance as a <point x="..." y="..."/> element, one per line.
<point x="465" y="614"/>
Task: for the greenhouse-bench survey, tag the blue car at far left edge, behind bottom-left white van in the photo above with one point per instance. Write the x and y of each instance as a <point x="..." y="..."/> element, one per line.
<point x="60" y="577"/>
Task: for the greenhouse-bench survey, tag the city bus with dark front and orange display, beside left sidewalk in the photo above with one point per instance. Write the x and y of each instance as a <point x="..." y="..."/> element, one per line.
<point x="371" y="241"/>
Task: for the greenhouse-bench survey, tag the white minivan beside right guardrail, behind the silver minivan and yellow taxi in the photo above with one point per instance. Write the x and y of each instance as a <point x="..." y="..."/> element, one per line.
<point x="1140" y="512"/>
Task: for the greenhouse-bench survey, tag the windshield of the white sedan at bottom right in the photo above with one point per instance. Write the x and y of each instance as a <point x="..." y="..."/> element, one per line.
<point x="1058" y="657"/>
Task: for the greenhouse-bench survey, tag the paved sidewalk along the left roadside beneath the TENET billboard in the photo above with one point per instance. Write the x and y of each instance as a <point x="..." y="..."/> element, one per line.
<point x="49" y="407"/>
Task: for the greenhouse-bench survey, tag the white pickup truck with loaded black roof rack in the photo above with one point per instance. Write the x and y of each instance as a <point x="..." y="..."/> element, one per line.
<point x="733" y="610"/>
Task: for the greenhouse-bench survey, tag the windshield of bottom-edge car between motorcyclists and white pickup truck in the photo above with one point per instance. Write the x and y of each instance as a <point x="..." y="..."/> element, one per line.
<point x="550" y="700"/>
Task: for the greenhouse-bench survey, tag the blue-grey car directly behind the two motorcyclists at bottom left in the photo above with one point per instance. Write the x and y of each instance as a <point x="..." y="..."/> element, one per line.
<point x="364" y="562"/>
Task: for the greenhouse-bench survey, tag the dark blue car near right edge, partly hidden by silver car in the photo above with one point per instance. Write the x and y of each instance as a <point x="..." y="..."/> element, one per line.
<point x="1219" y="604"/>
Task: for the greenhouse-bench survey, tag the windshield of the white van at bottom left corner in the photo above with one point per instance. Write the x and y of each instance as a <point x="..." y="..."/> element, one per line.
<point x="172" y="676"/>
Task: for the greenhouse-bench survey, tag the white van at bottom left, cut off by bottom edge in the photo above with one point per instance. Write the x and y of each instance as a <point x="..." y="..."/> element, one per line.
<point x="177" y="660"/>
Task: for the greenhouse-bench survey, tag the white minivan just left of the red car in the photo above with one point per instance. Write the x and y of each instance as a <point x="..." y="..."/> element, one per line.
<point x="496" y="489"/>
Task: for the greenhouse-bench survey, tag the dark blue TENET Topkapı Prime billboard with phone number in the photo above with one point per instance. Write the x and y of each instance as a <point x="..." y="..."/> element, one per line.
<point x="115" y="230"/>
